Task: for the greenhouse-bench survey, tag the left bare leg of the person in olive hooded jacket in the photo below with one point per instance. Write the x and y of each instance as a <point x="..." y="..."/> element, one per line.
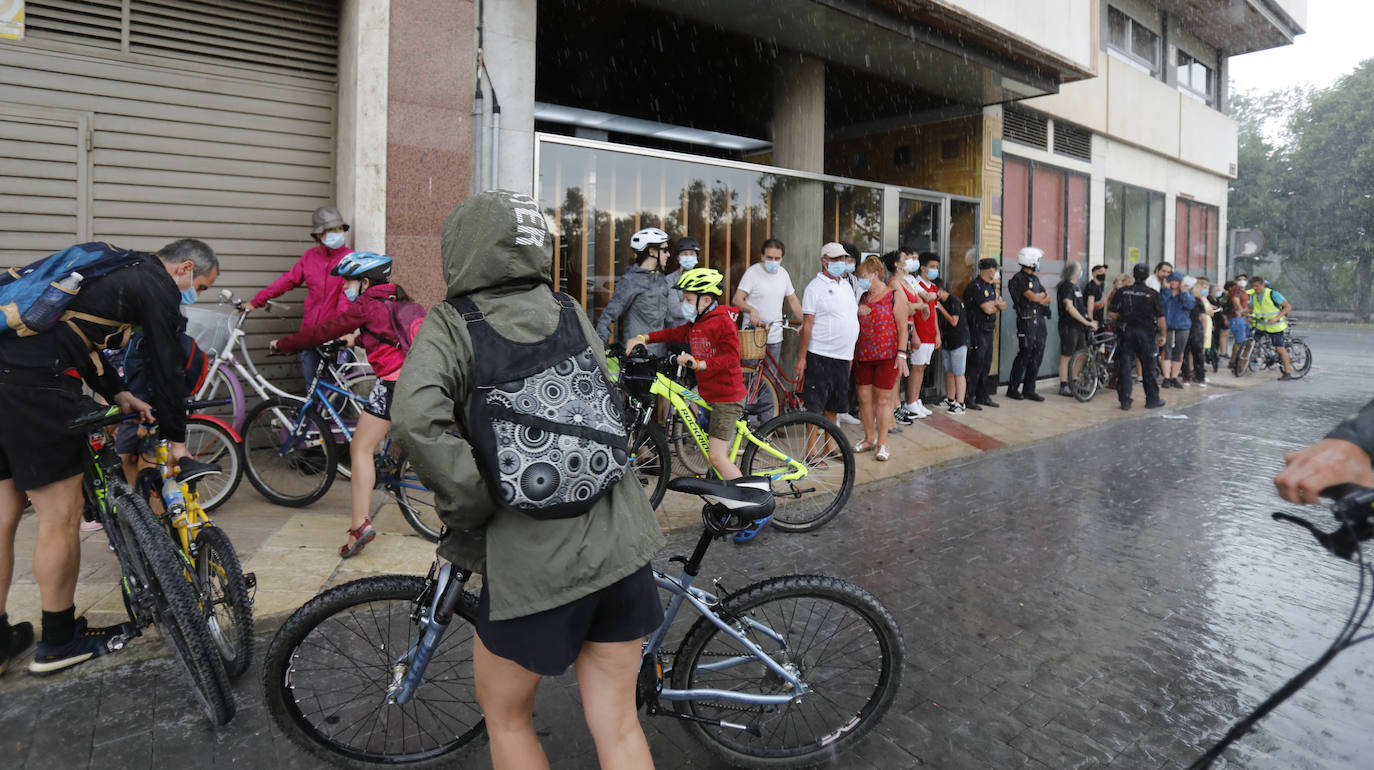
<point x="506" y="694"/>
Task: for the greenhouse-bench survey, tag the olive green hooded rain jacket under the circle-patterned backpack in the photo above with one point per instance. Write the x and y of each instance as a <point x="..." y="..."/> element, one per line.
<point x="497" y="252"/>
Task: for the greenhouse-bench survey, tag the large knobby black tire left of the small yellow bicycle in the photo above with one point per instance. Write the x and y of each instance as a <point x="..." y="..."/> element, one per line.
<point x="177" y="610"/>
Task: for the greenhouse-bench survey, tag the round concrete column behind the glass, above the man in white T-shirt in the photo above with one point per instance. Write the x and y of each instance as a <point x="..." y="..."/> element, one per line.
<point x="800" y="144"/>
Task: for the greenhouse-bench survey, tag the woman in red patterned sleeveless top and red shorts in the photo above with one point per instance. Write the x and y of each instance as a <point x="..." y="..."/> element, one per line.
<point x="880" y="358"/>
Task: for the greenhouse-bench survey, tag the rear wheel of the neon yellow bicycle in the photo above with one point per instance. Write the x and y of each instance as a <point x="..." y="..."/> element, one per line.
<point x="803" y="504"/>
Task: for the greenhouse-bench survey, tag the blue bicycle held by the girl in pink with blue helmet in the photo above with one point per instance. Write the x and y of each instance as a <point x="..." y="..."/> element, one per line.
<point x="292" y="457"/>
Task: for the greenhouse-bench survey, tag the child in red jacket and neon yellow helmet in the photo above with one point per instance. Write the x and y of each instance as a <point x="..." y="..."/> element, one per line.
<point x="715" y="357"/>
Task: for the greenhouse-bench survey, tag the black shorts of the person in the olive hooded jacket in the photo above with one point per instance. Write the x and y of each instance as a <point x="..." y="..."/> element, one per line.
<point x="548" y="643"/>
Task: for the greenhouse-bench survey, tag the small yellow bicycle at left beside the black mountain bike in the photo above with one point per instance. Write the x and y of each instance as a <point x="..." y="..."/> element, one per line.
<point x="225" y="593"/>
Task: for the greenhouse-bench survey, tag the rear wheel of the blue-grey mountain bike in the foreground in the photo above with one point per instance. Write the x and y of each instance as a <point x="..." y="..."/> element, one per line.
<point x="836" y="637"/>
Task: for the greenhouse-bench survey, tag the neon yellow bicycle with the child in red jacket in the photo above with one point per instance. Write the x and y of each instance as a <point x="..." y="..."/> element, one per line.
<point x="806" y="457"/>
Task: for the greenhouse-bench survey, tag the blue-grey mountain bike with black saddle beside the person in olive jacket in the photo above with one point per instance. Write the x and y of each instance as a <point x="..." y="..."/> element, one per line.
<point x="787" y="673"/>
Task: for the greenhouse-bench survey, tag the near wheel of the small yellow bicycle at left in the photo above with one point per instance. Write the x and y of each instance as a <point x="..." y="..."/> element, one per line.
<point x="226" y="602"/>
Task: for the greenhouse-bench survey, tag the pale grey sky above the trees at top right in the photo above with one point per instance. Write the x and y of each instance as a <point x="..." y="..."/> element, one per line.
<point x="1339" y="36"/>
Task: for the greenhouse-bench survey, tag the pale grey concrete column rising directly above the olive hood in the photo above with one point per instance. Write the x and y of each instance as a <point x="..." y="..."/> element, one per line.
<point x="509" y="31"/>
